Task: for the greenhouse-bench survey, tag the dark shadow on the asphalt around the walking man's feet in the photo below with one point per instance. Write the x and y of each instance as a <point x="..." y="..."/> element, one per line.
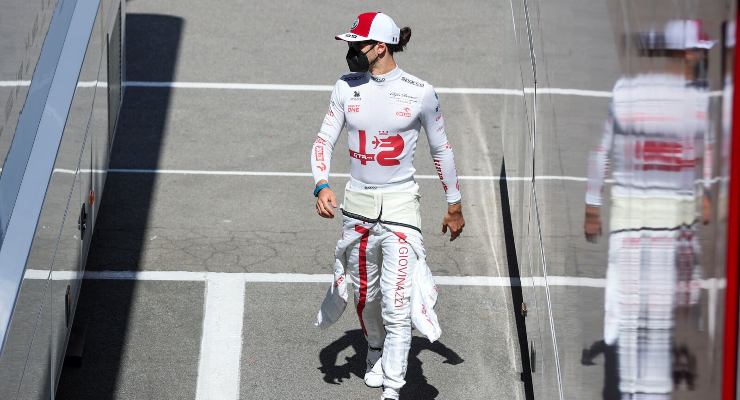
<point x="416" y="386"/>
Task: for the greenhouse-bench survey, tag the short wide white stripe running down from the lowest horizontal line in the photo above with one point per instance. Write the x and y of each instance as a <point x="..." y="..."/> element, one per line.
<point x="221" y="342"/>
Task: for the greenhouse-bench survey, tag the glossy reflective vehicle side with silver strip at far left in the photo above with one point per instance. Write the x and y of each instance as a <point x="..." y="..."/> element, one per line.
<point x="36" y="340"/>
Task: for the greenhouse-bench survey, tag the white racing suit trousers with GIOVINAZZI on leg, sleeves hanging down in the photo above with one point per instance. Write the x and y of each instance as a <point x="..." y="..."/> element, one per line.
<point x="386" y="262"/>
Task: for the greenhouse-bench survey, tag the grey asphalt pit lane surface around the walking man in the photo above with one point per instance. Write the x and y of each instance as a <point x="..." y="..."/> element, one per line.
<point x="145" y="337"/>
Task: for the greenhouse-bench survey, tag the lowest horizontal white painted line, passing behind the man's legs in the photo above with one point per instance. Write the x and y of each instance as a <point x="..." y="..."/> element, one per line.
<point x="266" y="277"/>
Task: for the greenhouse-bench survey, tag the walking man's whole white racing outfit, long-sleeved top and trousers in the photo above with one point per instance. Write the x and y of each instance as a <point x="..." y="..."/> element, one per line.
<point x="382" y="246"/>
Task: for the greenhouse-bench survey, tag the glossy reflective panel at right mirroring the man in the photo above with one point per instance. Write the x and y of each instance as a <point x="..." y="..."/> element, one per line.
<point x="628" y="175"/>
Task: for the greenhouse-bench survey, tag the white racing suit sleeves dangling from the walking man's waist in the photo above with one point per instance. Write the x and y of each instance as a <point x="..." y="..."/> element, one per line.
<point x="424" y="291"/>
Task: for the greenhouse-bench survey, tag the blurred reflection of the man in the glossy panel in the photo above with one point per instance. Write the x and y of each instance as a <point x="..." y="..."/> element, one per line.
<point x="652" y="142"/>
